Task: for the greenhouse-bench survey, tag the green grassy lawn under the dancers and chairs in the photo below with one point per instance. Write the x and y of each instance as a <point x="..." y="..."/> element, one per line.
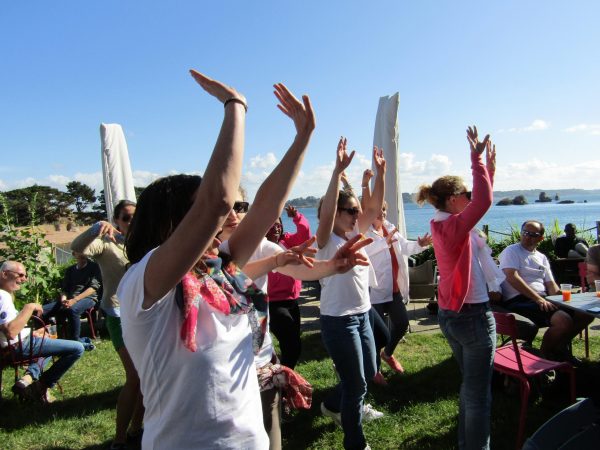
<point x="421" y="406"/>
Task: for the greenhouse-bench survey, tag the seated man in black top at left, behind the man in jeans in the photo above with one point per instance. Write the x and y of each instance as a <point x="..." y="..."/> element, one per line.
<point x="79" y="293"/>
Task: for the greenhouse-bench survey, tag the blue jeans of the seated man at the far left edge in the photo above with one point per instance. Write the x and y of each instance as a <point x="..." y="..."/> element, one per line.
<point x="68" y="352"/>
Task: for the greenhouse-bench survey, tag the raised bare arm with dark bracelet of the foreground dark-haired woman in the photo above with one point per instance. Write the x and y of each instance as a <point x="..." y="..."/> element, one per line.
<point x="212" y="203"/>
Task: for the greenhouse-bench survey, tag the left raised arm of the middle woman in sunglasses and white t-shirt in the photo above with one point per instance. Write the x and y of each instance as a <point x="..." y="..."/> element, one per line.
<point x="329" y="204"/>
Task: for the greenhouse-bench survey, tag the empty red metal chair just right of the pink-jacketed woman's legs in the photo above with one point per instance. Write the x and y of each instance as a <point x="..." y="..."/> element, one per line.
<point x="518" y="363"/>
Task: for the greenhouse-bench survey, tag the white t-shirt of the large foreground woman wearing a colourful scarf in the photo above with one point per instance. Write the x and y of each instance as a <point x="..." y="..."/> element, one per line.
<point x="204" y="399"/>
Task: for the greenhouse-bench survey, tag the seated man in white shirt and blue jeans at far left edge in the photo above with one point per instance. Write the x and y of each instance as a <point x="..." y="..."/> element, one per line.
<point x="13" y="323"/>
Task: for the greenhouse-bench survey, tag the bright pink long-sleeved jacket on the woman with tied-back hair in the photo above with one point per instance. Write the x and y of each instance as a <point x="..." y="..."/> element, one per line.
<point x="452" y="243"/>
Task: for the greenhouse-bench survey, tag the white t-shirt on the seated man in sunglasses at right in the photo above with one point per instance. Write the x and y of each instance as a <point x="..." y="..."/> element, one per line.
<point x="533" y="267"/>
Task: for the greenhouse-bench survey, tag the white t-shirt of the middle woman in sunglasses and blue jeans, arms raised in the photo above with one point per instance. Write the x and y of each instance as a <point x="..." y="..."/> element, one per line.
<point x="347" y="293"/>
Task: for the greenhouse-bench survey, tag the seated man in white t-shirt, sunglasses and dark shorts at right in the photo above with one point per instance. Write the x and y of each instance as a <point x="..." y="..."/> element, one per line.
<point x="528" y="280"/>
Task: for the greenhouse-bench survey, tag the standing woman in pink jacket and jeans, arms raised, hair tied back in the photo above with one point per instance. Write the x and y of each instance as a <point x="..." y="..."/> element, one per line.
<point x="464" y="312"/>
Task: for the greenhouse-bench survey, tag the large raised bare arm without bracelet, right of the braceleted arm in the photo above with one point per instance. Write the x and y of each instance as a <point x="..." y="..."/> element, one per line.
<point x="275" y="190"/>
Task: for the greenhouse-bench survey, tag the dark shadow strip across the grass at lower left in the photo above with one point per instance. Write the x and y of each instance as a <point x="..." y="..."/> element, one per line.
<point x="30" y="413"/>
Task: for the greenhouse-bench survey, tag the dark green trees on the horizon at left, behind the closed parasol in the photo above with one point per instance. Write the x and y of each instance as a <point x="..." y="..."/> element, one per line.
<point x="79" y="204"/>
